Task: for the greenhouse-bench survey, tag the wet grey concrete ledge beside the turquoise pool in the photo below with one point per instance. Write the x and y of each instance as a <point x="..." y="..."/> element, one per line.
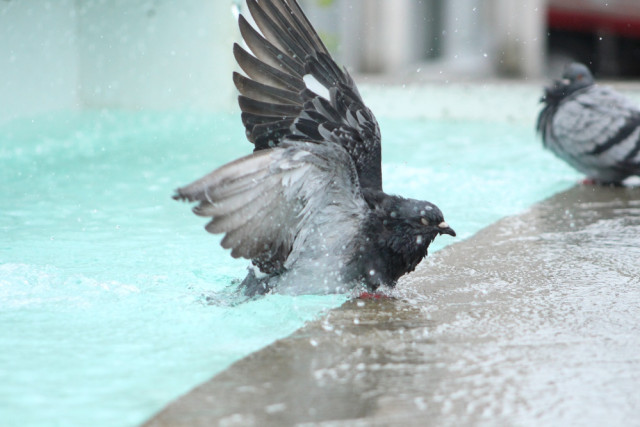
<point x="533" y="321"/>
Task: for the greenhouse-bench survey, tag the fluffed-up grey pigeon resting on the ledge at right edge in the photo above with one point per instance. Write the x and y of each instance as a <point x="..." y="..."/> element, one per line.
<point x="593" y="128"/>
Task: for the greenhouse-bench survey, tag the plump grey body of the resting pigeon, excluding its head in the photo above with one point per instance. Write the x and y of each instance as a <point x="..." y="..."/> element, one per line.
<point x="597" y="127"/>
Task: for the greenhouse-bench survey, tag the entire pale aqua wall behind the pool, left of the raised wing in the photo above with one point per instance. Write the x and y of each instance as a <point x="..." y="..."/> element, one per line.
<point x="145" y="54"/>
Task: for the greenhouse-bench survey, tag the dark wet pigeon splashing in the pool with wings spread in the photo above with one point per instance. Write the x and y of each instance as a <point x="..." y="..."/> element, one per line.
<point x="307" y="207"/>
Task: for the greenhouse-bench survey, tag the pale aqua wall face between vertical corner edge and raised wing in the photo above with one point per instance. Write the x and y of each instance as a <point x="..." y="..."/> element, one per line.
<point x="160" y="54"/>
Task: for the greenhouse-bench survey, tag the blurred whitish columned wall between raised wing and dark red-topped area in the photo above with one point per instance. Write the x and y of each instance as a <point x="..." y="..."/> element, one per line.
<point x="476" y="38"/>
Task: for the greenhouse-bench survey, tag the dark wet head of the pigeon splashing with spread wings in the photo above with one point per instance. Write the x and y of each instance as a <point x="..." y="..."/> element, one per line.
<point x="423" y="217"/>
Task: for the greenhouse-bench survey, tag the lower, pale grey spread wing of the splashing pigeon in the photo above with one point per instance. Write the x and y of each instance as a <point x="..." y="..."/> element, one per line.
<point x="274" y="205"/>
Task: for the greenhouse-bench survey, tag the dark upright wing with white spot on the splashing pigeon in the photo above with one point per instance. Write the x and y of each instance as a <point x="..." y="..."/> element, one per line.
<point x="277" y="102"/>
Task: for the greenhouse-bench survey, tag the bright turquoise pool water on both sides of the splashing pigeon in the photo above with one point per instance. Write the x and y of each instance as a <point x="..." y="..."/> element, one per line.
<point x="114" y="300"/>
